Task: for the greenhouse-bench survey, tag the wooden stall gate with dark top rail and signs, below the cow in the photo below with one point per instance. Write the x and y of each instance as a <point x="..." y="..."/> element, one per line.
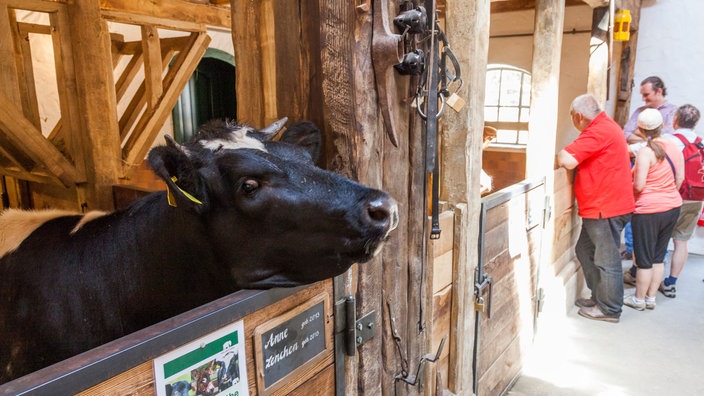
<point x="127" y="365"/>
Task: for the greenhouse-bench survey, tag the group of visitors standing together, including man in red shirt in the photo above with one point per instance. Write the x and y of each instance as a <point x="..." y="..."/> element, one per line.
<point x="632" y="178"/>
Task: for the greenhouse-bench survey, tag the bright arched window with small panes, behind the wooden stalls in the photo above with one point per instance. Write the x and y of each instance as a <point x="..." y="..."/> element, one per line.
<point x="507" y="104"/>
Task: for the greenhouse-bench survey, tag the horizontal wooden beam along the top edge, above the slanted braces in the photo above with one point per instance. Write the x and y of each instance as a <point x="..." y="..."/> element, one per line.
<point x="172" y="14"/>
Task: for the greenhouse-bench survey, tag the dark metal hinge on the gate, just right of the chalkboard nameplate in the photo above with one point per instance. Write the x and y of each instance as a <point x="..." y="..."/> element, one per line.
<point x="356" y="331"/>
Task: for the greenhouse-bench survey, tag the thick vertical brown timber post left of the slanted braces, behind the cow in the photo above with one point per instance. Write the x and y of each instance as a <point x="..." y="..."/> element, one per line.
<point x="98" y="134"/>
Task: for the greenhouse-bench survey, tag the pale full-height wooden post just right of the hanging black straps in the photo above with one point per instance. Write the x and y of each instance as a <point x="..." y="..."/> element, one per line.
<point x="468" y="33"/>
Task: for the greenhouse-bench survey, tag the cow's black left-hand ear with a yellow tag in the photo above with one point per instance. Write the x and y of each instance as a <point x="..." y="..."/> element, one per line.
<point x="176" y="168"/>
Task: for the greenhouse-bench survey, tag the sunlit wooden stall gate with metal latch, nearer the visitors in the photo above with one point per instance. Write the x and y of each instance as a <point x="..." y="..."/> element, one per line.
<point x="506" y="288"/>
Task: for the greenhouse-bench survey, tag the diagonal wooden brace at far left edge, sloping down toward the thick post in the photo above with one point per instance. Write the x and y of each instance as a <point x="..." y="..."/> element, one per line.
<point x="22" y="133"/>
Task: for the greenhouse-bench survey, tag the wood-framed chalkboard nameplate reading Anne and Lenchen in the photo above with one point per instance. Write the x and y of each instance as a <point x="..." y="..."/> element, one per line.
<point x="291" y="343"/>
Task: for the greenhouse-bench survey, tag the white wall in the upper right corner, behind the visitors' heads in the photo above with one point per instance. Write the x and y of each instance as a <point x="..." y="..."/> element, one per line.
<point x="671" y="46"/>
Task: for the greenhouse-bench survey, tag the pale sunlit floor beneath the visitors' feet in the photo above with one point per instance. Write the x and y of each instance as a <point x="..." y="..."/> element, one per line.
<point x="659" y="352"/>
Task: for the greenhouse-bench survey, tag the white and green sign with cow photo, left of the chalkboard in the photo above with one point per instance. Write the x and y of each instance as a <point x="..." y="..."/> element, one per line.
<point x="211" y="365"/>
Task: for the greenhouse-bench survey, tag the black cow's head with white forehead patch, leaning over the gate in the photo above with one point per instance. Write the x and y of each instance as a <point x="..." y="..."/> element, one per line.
<point x="273" y="217"/>
